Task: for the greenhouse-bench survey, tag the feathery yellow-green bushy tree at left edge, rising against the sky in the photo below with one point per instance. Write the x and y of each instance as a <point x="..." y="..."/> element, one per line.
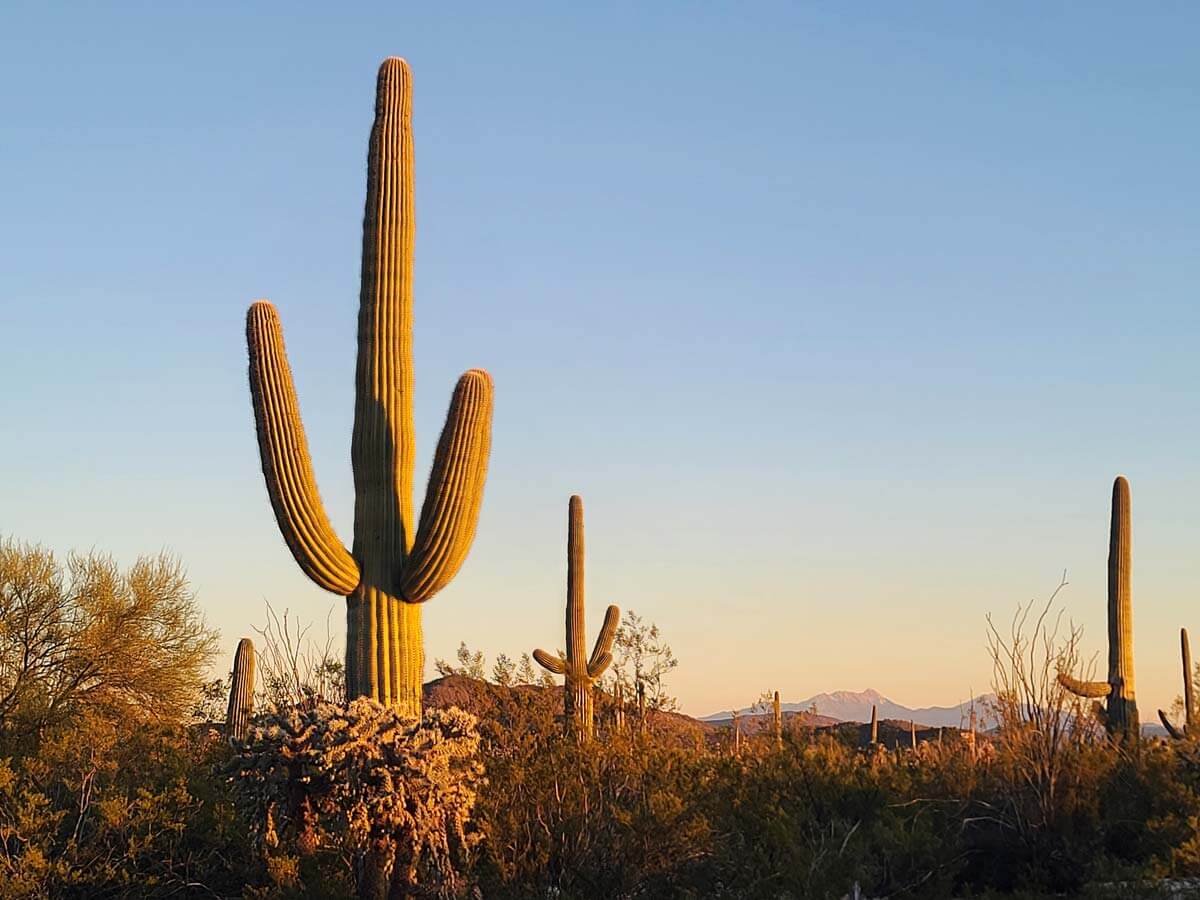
<point x="88" y="638"/>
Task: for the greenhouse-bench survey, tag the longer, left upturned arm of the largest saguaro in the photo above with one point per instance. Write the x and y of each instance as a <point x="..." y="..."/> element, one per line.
<point x="285" y="459"/>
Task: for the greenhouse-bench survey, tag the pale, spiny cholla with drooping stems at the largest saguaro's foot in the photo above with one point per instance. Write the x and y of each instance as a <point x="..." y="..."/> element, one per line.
<point x="394" y="791"/>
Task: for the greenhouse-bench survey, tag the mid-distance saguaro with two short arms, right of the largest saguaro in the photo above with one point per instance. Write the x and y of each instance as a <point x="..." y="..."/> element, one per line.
<point x="580" y="671"/>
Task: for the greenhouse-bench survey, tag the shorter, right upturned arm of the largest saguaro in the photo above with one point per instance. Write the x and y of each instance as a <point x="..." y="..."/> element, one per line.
<point x="455" y="494"/>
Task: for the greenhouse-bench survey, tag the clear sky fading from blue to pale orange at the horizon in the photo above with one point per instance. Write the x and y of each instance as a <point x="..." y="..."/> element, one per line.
<point x="841" y="319"/>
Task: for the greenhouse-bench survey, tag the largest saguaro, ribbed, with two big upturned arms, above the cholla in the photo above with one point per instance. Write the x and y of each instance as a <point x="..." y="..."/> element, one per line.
<point x="393" y="568"/>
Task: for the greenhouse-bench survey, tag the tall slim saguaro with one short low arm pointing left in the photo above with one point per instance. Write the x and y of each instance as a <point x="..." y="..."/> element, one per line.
<point x="1120" y="716"/>
